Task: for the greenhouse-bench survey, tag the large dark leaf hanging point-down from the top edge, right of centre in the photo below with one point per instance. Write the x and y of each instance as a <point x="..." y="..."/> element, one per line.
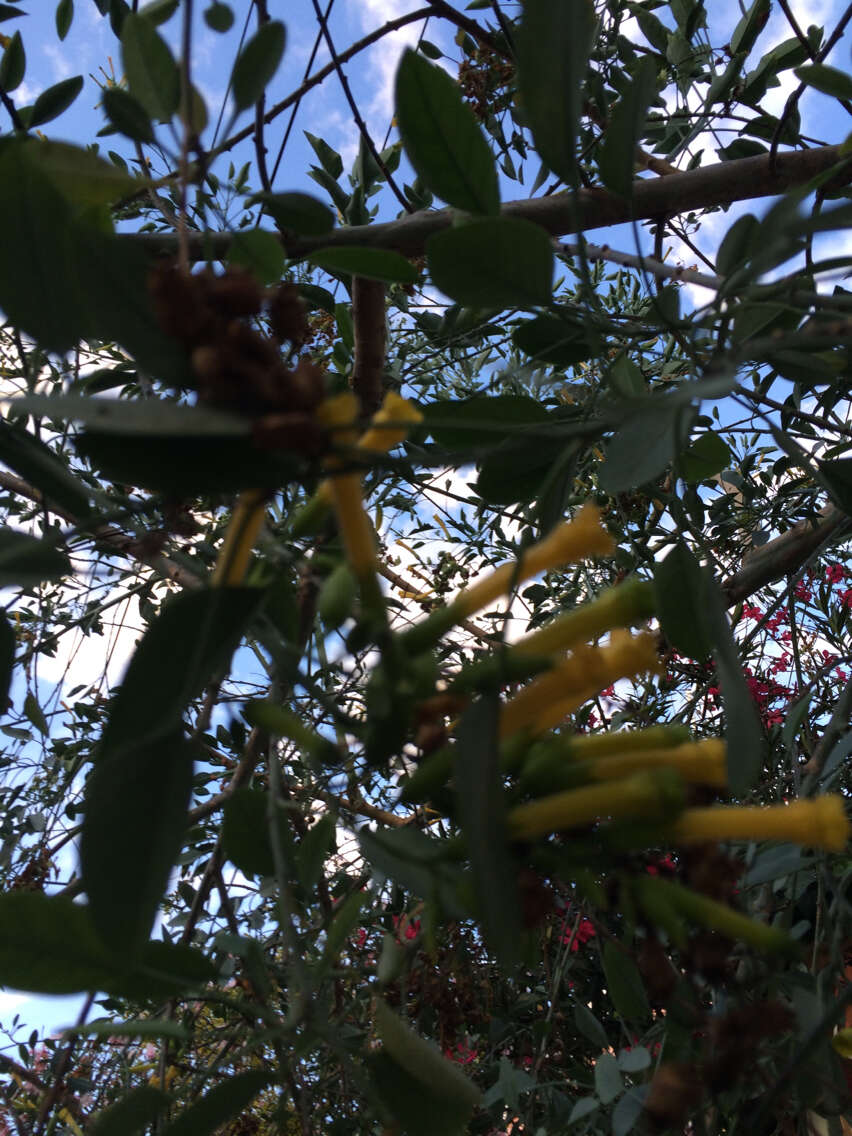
<point x="555" y="44"/>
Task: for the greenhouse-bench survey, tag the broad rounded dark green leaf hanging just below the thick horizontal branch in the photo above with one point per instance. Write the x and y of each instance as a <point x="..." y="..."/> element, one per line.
<point x="498" y="263"/>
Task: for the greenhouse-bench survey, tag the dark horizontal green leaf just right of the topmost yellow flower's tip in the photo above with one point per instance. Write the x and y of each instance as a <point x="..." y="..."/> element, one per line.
<point x="482" y="422"/>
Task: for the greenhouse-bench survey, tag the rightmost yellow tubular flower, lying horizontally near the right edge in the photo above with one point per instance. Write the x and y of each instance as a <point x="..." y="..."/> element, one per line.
<point x="820" y="823"/>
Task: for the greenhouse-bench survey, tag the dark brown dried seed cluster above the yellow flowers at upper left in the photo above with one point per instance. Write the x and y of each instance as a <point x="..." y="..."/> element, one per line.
<point x="237" y="366"/>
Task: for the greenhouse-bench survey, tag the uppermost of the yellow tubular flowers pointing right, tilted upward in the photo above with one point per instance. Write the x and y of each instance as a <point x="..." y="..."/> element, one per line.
<point x="584" y="537"/>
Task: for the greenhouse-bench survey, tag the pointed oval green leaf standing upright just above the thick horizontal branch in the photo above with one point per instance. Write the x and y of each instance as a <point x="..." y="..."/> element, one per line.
<point x="442" y="138"/>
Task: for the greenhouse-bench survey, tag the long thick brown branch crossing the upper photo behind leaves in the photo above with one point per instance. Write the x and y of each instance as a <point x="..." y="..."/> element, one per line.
<point x="707" y="188"/>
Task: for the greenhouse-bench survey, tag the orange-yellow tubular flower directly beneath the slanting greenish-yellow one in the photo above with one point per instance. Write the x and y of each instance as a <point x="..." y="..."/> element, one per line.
<point x="542" y="704"/>
